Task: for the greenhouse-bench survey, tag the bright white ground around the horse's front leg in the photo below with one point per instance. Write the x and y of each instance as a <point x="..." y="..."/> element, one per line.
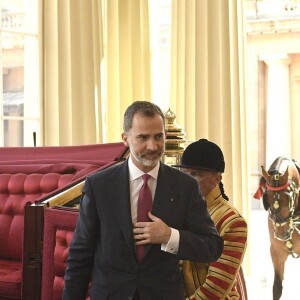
<point x="260" y="278"/>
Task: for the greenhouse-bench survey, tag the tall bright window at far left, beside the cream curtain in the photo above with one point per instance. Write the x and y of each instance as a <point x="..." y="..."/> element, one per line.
<point x="19" y="73"/>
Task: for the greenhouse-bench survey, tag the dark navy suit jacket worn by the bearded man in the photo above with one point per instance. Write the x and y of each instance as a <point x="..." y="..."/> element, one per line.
<point x="103" y="250"/>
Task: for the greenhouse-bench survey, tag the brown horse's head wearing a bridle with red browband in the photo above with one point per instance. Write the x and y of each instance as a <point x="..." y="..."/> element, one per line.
<point x="281" y="196"/>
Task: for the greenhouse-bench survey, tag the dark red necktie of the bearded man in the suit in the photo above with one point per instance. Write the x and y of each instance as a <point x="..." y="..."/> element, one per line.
<point x="144" y="206"/>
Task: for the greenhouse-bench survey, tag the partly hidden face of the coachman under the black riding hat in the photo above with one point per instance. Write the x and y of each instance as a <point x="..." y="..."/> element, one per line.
<point x="207" y="179"/>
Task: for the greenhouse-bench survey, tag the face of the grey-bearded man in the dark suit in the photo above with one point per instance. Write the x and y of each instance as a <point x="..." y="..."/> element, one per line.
<point x="146" y="141"/>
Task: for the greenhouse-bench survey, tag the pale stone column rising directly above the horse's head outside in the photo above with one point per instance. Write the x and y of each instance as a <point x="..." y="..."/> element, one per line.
<point x="278" y="115"/>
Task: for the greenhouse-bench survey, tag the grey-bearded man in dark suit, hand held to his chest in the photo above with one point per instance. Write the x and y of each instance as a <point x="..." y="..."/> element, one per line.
<point x="103" y="249"/>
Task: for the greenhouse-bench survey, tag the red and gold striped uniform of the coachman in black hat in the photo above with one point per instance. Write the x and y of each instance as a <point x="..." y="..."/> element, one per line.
<point x="217" y="280"/>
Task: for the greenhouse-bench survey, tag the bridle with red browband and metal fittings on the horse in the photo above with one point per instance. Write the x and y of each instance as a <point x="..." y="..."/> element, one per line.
<point x="294" y="221"/>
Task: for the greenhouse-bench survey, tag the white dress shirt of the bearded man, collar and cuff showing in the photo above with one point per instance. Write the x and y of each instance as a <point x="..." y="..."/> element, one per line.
<point x="136" y="182"/>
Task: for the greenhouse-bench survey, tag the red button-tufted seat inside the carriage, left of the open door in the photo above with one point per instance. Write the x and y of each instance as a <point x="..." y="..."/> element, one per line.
<point x="16" y="191"/>
